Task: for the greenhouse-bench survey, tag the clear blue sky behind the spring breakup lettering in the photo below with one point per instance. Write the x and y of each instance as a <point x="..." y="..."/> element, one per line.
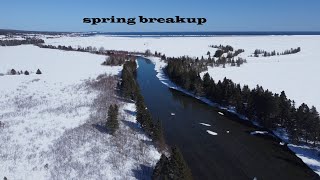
<point x="231" y="15"/>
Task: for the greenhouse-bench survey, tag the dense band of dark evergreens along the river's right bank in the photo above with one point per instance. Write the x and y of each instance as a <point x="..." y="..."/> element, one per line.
<point x="271" y="110"/>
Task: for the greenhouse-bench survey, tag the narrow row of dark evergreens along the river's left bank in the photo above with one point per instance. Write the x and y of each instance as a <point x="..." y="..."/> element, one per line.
<point x="172" y="167"/>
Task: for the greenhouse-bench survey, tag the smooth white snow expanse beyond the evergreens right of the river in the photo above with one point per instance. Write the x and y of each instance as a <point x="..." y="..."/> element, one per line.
<point x="295" y="74"/>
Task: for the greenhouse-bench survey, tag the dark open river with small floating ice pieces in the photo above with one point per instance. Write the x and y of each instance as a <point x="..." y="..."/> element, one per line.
<point x="234" y="155"/>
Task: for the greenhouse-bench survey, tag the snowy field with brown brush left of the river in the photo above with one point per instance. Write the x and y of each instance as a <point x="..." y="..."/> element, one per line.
<point x="52" y="124"/>
